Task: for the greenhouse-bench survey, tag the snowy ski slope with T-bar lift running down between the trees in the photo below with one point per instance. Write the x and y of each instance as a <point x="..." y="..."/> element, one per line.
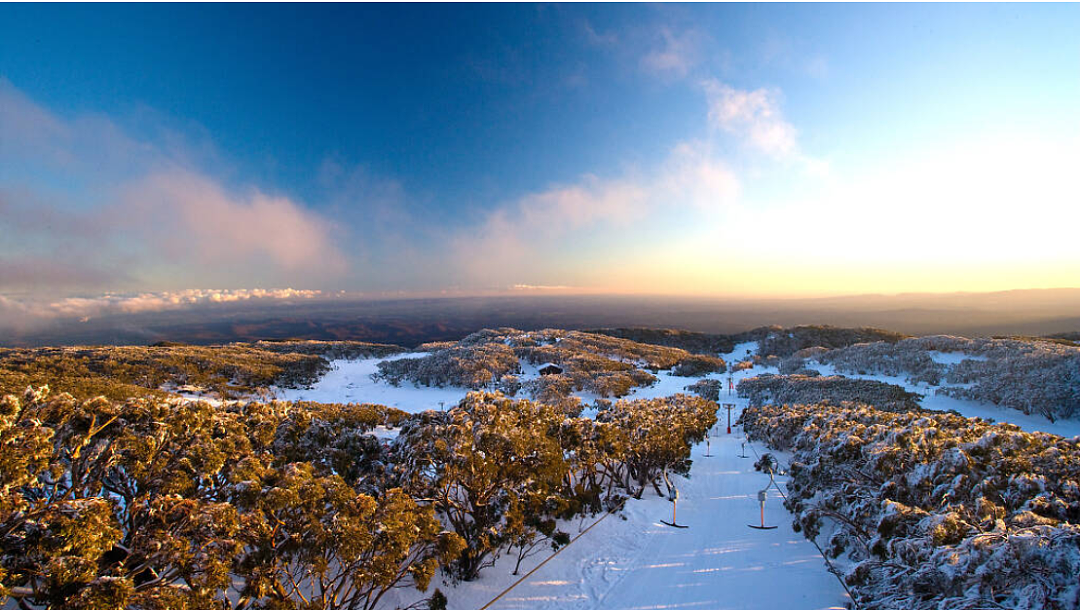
<point x="717" y="563"/>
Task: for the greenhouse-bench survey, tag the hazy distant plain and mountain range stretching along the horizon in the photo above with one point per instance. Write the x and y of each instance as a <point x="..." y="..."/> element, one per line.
<point x="411" y="322"/>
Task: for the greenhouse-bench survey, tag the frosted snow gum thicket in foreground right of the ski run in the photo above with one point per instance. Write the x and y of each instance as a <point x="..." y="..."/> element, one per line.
<point x="933" y="510"/>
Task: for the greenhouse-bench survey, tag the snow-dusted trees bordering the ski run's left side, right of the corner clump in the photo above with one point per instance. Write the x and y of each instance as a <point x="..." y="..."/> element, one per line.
<point x="502" y="472"/>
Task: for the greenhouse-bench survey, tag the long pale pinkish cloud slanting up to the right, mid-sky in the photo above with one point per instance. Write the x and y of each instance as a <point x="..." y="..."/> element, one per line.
<point x="541" y="236"/>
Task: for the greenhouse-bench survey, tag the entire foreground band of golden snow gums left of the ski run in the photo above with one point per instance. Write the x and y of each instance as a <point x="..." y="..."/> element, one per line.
<point x="161" y="504"/>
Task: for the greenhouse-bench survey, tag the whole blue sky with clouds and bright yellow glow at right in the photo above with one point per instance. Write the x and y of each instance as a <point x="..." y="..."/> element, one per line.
<point x="744" y="151"/>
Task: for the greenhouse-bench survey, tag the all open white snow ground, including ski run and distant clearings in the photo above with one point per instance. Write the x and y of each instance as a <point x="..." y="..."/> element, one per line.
<point x="633" y="562"/>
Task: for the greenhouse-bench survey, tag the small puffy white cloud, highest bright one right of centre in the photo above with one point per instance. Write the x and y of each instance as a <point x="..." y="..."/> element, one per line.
<point x="753" y="116"/>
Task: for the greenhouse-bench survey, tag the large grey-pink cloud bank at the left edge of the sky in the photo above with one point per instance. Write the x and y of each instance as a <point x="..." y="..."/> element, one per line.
<point x="87" y="205"/>
